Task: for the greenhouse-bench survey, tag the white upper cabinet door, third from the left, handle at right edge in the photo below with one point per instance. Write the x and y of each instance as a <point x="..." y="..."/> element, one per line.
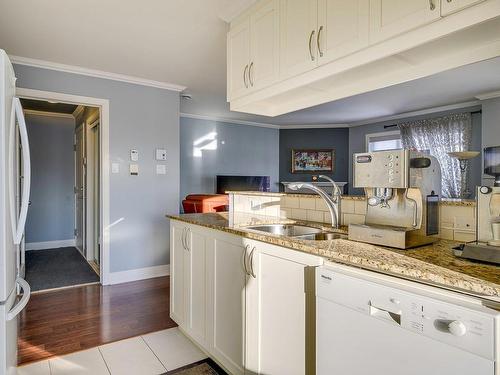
<point x="298" y="21"/>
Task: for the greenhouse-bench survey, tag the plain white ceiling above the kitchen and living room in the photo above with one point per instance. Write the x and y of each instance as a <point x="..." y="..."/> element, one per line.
<point x="183" y="42"/>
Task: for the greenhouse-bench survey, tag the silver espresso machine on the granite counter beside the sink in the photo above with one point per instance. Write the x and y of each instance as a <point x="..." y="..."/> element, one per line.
<point x="402" y="190"/>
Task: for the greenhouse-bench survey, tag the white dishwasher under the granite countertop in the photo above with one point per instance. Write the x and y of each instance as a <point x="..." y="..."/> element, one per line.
<point x="368" y="323"/>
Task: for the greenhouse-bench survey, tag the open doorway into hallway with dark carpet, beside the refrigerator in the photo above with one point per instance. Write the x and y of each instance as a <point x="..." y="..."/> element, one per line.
<point x="56" y="233"/>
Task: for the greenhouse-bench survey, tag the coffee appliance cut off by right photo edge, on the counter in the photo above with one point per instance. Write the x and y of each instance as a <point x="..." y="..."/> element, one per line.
<point x="487" y="245"/>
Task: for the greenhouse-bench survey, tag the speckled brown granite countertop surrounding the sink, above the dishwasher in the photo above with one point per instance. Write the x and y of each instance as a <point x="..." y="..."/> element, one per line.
<point x="432" y="264"/>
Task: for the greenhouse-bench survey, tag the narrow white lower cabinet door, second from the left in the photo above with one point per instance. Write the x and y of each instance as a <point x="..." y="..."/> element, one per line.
<point x="195" y="281"/>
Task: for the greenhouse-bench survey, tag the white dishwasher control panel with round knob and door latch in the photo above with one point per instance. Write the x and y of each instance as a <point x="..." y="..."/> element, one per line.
<point x="469" y="328"/>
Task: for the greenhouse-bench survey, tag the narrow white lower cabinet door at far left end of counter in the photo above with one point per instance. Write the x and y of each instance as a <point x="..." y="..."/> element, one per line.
<point x="177" y="277"/>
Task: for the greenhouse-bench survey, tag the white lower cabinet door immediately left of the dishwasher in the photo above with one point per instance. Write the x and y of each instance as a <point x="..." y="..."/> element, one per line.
<point x="278" y="308"/>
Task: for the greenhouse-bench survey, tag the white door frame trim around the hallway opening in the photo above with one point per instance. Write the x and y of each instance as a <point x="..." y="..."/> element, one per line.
<point x="103" y="105"/>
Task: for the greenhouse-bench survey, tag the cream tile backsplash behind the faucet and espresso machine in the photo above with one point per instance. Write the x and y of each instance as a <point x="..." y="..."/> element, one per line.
<point x="457" y="217"/>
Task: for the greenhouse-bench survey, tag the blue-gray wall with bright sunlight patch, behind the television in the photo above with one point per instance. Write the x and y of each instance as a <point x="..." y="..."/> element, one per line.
<point x="236" y="149"/>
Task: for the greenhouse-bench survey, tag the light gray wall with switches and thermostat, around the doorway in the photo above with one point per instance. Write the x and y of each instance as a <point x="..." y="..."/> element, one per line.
<point x="143" y="118"/>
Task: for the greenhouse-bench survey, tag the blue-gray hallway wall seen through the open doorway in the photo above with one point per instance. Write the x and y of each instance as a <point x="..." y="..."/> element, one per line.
<point x="51" y="215"/>
